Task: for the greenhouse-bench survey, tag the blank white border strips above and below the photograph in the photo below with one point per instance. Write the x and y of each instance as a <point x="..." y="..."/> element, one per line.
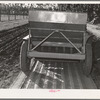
<point x="46" y="94"/>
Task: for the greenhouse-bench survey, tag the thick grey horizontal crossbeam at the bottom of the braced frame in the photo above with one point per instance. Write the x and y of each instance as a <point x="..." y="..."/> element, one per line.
<point x="56" y="55"/>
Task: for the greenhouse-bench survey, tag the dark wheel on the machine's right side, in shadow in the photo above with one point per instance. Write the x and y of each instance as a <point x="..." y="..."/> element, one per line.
<point x="87" y="66"/>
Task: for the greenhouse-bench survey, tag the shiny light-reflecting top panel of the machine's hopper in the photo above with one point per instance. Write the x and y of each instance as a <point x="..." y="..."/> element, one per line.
<point x="58" y="17"/>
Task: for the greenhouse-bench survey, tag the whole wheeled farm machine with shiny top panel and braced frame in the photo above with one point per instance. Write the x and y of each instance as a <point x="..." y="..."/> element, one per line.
<point x="58" y="36"/>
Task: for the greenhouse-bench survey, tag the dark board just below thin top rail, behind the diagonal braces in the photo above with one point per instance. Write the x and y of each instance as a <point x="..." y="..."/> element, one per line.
<point x="45" y="32"/>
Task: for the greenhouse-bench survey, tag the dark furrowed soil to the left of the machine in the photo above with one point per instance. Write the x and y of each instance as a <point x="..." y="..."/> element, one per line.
<point x="10" y="43"/>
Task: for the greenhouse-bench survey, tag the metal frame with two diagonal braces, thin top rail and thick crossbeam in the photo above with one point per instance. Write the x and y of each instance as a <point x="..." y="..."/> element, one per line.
<point x="33" y="53"/>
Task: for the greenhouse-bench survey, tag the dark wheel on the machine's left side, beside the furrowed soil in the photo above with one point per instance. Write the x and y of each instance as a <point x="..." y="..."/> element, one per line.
<point x="24" y="60"/>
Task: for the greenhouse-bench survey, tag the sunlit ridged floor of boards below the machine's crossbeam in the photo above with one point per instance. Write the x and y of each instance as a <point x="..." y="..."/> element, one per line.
<point x="51" y="74"/>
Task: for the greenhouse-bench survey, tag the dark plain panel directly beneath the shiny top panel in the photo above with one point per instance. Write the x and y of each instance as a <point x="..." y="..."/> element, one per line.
<point x="43" y="25"/>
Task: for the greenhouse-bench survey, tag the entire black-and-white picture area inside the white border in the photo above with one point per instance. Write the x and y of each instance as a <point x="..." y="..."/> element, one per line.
<point x="49" y="46"/>
